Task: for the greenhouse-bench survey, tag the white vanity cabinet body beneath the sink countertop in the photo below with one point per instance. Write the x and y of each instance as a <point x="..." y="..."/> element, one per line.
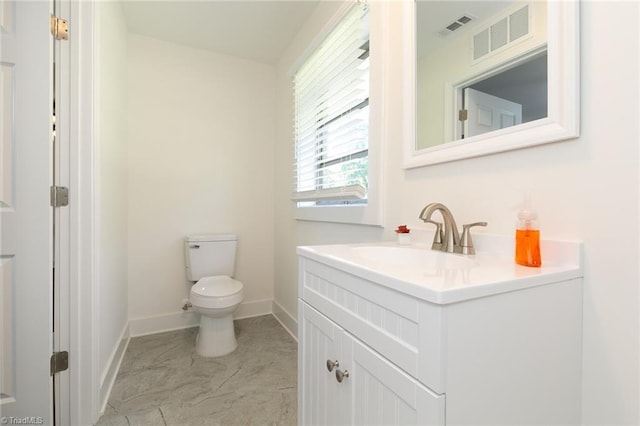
<point x="504" y="356"/>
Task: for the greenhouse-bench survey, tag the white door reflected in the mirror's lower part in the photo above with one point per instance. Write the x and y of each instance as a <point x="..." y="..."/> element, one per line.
<point x="487" y="112"/>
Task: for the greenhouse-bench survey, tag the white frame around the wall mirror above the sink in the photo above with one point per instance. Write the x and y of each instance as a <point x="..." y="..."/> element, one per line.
<point x="563" y="109"/>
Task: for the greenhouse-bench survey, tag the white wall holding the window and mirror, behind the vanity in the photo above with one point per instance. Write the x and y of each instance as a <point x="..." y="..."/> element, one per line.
<point x="585" y="189"/>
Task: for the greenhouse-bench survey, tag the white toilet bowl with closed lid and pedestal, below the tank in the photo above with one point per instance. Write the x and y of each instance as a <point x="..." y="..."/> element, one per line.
<point x="215" y="299"/>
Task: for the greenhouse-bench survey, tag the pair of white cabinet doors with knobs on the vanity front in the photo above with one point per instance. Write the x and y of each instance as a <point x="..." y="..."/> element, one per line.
<point x="371" y="391"/>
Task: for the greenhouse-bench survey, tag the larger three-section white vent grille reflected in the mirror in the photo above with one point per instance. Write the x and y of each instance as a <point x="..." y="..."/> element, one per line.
<point x="501" y="33"/>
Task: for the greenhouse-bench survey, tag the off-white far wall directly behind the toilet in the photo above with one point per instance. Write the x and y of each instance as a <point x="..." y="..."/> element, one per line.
<point x="201" y="137"/>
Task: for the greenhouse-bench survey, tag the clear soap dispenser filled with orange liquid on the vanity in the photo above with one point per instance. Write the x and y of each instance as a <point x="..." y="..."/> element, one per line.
<point x="528" y="236"/>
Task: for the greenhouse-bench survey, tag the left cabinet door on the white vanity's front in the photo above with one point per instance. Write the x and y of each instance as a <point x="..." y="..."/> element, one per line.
<point x="319" y="395"/>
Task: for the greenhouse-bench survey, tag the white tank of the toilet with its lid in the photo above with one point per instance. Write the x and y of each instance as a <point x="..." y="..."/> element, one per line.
<point x="210" y="254"/>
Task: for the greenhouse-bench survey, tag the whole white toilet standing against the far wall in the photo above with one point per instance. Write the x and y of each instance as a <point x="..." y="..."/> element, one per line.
<point x="210" y="262"/>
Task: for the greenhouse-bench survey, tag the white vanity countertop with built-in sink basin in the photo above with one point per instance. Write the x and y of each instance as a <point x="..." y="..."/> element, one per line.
<point x="444" y="278"/>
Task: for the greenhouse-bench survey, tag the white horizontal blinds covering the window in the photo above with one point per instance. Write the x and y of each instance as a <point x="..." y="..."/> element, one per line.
<point x="331" y="92"/>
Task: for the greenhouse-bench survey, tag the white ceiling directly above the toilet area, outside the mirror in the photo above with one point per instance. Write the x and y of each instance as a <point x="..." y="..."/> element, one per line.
<point x="259" y="30"/>
